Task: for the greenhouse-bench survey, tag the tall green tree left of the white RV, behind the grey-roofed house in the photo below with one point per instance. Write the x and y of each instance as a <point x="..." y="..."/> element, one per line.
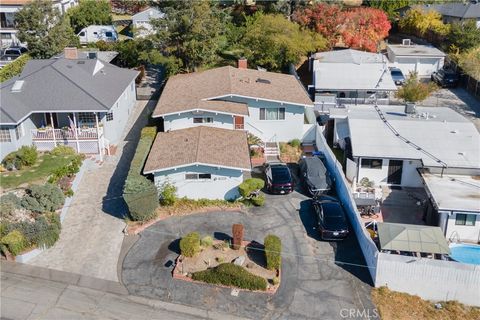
<point x="44" y="29"/>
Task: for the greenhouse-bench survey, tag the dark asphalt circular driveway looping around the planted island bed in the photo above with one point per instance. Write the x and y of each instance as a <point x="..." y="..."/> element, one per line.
<point x="313" y="285"/>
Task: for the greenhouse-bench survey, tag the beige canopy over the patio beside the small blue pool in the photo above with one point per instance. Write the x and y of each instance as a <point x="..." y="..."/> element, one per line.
<point x="412" y="238"/>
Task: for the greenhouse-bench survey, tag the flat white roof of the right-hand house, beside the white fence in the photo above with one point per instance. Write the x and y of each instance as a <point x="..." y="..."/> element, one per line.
<point x="441" y="132"/>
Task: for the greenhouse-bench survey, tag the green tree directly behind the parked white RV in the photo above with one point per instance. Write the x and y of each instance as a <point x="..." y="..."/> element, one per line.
<point x="90" y="12"/>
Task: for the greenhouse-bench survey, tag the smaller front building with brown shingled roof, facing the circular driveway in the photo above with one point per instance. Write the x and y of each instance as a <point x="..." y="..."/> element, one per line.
<point x="202" y="162"/>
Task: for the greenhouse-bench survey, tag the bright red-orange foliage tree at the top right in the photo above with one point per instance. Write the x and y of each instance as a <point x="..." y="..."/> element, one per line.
<point x="358" y="28"/>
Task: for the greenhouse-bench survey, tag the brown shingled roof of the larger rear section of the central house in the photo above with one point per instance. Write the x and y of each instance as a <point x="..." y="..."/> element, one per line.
<point x="186" y="91"/>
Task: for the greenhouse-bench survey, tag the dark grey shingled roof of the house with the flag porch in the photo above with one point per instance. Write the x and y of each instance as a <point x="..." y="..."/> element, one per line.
<point x="63" y="85"/>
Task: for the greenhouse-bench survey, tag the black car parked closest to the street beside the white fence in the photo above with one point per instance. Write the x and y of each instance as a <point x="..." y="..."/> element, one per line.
<point x="332" y="221"/>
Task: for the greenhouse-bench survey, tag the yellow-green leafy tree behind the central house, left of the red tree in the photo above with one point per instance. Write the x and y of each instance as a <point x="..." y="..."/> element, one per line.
<point x="274" y="42"/>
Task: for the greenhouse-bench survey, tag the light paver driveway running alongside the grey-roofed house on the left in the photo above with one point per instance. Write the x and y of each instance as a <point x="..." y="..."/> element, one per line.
<point x="91" y="237"/>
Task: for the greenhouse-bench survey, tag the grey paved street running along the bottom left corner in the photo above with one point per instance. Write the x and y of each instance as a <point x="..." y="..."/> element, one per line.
<point x="36" y="296"/>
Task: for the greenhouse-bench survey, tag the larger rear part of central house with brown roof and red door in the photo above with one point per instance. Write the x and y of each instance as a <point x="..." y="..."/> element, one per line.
<point x="269" y="105"/>
